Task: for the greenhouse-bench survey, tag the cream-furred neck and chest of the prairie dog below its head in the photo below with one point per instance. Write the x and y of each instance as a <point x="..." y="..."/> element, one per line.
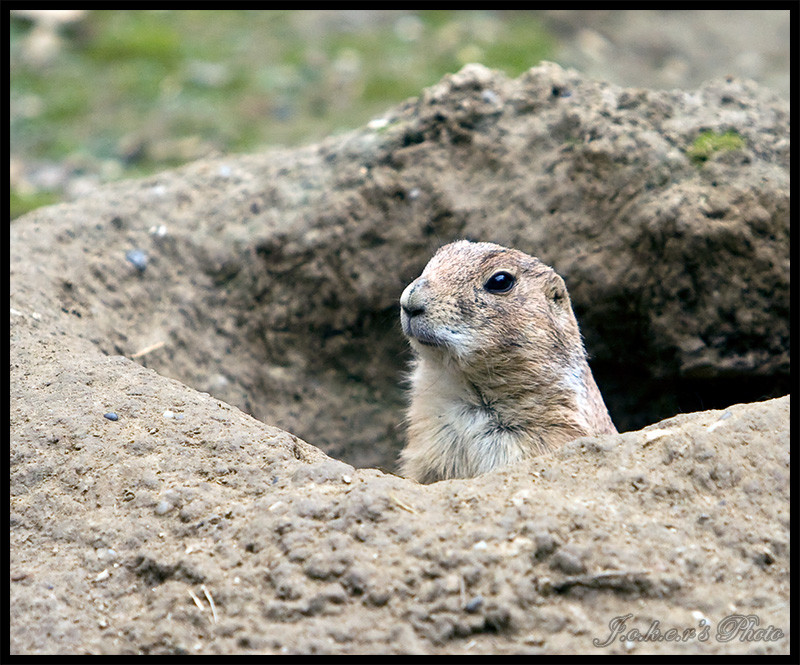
<point x="465" y="423"/>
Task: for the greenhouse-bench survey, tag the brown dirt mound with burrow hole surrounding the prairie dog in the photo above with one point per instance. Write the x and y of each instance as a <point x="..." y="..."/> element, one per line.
<point x="149" y="517"/>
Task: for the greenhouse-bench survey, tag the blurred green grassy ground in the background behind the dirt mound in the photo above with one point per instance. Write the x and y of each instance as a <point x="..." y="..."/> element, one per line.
<point x="130" y="92"/>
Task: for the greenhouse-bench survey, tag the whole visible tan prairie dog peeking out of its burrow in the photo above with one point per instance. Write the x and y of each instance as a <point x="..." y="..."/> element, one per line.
<point x="500" y="372"/>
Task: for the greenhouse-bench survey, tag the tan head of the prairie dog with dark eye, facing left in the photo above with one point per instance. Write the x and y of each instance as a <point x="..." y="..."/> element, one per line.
<point x="476" y="301"/>
